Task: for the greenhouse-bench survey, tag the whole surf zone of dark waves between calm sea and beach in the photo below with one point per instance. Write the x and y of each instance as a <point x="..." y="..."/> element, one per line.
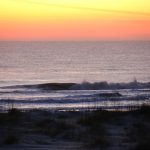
<point x="84" y="95"/>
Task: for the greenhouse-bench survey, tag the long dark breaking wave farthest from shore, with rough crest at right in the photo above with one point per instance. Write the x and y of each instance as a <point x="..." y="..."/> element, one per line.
<point x="85" y="86"/>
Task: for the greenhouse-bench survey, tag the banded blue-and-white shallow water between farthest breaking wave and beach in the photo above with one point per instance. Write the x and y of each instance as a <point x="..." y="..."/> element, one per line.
<point x="75" y="99"/>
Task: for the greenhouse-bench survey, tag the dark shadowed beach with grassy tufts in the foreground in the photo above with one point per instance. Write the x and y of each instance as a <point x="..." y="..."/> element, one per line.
<point x="72" y="130"/>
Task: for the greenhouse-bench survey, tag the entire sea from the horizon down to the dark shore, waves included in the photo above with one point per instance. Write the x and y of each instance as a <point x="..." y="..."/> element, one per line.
<point x="101" y="74"/>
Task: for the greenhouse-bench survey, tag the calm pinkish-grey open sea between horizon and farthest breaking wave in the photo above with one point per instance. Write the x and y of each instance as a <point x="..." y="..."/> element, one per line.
<point x="43" y="62"/>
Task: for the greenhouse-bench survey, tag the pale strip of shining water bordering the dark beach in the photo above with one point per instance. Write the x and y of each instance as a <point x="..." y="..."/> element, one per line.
<point x="120" y="105"/>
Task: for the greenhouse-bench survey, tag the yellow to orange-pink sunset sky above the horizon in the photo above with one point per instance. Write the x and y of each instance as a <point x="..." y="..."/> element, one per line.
<point x="74" y="19"/>
